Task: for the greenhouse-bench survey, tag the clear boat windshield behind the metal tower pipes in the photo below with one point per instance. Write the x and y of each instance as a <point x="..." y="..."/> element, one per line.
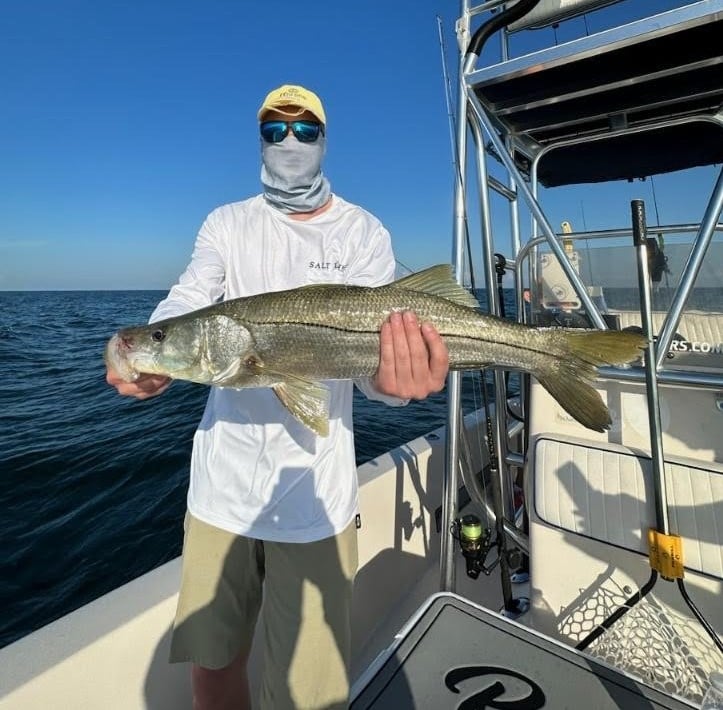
<point x="607" y="264"/>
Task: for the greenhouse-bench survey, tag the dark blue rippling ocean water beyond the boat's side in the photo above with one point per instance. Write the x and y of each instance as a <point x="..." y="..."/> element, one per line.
<point x="93" y="485"/>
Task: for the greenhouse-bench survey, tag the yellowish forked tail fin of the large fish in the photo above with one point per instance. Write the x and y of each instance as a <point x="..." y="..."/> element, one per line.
<point x="570" y="376"/>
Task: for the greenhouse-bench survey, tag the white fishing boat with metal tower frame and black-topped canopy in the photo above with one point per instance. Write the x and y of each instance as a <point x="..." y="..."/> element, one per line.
<point x="514" y="558"/>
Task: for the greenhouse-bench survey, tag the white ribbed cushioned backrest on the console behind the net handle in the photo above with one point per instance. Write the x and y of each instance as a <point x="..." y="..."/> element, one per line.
<point x="604" y="492"/>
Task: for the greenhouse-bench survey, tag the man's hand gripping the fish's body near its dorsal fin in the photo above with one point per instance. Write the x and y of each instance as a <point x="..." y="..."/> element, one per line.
<point x="413" y="360"/>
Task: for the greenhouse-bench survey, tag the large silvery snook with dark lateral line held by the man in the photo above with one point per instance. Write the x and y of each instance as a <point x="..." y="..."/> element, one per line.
<point x="290" y="340"/>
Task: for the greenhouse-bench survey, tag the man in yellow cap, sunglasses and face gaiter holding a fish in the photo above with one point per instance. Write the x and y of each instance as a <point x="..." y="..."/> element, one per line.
<point x="271" y="505"/>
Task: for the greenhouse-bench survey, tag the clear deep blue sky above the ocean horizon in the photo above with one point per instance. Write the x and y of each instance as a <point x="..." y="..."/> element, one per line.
<point x="124" y="123"/>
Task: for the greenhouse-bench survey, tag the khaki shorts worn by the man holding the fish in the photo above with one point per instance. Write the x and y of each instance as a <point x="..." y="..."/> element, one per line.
<point x="305" y="616"/>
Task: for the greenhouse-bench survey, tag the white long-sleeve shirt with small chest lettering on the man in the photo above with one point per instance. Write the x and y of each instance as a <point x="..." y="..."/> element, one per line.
<point x="255" y="470"/>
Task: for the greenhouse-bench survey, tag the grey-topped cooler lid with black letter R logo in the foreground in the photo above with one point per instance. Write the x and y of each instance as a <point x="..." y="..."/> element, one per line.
<point x="454" y="649"/>
